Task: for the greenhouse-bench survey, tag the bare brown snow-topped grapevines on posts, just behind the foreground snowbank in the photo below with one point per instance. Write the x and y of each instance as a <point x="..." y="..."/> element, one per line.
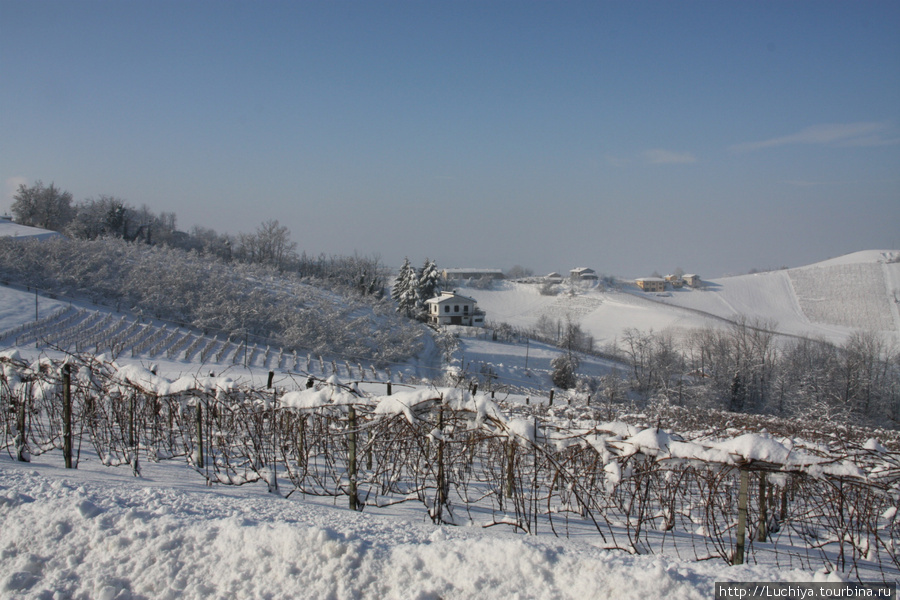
<point x="698" y="485"/>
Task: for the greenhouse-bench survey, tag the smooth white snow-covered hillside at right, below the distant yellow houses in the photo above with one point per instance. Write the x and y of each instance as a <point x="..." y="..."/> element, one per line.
<point x="827" y="300"/>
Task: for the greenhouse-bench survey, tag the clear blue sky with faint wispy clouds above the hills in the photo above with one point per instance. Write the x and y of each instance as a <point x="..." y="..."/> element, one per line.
<point x="629" y="137"/>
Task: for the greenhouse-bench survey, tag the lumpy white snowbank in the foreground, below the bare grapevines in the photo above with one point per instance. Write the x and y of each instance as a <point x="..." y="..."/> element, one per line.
<point x="99" y="533"/>
